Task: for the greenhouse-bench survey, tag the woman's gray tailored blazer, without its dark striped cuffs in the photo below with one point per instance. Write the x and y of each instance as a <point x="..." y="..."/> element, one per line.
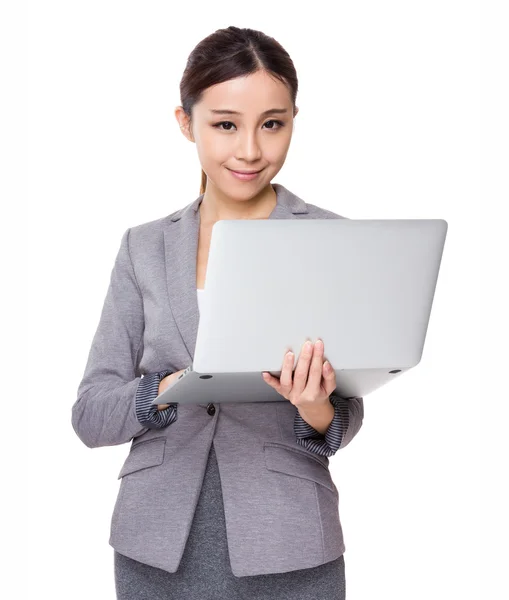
<point x="281" y="504"/>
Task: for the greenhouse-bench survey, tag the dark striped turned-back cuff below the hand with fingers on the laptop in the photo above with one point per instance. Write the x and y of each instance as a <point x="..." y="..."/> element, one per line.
<point x="325" y="444"/>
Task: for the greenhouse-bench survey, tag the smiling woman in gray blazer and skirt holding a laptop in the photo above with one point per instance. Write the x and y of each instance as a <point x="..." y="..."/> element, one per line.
<point x="233" y="500"/>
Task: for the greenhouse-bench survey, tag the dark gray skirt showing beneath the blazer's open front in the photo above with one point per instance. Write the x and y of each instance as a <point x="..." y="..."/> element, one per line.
<point x="204" y="572"/>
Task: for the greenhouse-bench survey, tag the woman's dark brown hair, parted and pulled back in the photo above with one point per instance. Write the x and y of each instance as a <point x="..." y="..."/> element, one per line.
<point x="230" y="53"/>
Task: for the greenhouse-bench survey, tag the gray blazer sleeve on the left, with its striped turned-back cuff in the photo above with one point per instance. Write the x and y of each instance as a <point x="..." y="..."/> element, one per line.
<point x="112" y="398"/>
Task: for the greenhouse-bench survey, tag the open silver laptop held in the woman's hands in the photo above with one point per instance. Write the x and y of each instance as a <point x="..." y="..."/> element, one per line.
<point x="365" y="287"/>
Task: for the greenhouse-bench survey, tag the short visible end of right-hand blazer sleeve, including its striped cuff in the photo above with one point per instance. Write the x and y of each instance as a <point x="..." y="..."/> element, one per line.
<point x="347" y="421"/>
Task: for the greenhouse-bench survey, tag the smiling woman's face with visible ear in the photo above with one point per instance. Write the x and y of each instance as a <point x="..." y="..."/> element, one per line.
<point x="256" y="139"/>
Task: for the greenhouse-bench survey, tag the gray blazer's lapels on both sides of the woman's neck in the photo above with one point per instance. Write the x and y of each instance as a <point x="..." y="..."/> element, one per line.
<point x="181" y="231"/>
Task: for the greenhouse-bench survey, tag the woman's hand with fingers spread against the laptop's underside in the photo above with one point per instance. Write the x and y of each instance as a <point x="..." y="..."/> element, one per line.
<point x="313" y="381"/>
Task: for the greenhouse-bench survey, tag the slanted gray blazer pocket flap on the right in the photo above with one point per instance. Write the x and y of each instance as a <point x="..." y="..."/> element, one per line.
<point x="293" y="461"/>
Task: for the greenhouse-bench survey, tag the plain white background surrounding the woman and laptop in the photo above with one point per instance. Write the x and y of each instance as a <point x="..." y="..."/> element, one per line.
<point x="391" y="96"/>
